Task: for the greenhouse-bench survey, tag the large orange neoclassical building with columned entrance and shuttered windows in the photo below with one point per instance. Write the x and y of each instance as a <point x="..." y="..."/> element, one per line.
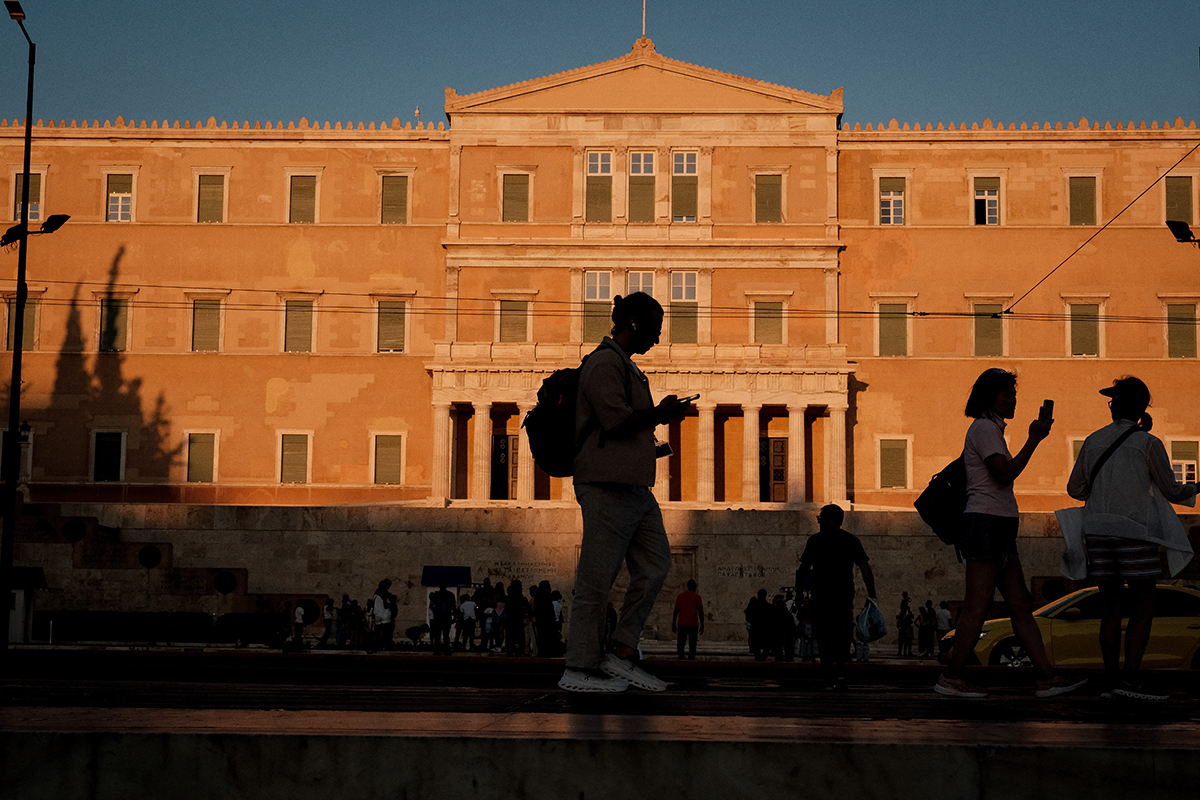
<point x="313" y="314"/>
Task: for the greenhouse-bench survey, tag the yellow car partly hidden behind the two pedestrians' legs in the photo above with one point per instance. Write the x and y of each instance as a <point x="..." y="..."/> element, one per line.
<point x="1071" y="630"/>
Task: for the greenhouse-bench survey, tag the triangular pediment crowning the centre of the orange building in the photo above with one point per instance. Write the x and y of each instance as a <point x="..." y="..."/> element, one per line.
<point x="644" y="82"/>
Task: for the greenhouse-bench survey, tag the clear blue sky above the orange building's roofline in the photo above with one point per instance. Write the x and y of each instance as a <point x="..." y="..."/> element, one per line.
<point x="919" y="62"/>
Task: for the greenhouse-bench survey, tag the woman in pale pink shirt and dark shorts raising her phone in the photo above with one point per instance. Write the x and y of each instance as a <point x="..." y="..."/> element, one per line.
<point x="988" y="543"/>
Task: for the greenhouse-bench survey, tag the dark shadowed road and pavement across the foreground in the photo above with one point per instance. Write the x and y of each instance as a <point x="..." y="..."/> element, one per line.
<point x="177" y="724"/>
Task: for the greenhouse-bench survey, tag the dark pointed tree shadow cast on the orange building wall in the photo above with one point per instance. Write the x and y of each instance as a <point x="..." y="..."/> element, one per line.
<point x="93" y="398"/>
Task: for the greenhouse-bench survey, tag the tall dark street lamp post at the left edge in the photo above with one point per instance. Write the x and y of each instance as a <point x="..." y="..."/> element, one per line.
<point x="11" y="459"/>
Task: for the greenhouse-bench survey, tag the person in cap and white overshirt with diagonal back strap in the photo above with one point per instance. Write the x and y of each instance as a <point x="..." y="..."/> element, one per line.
<point x="1127" y="518"/>
